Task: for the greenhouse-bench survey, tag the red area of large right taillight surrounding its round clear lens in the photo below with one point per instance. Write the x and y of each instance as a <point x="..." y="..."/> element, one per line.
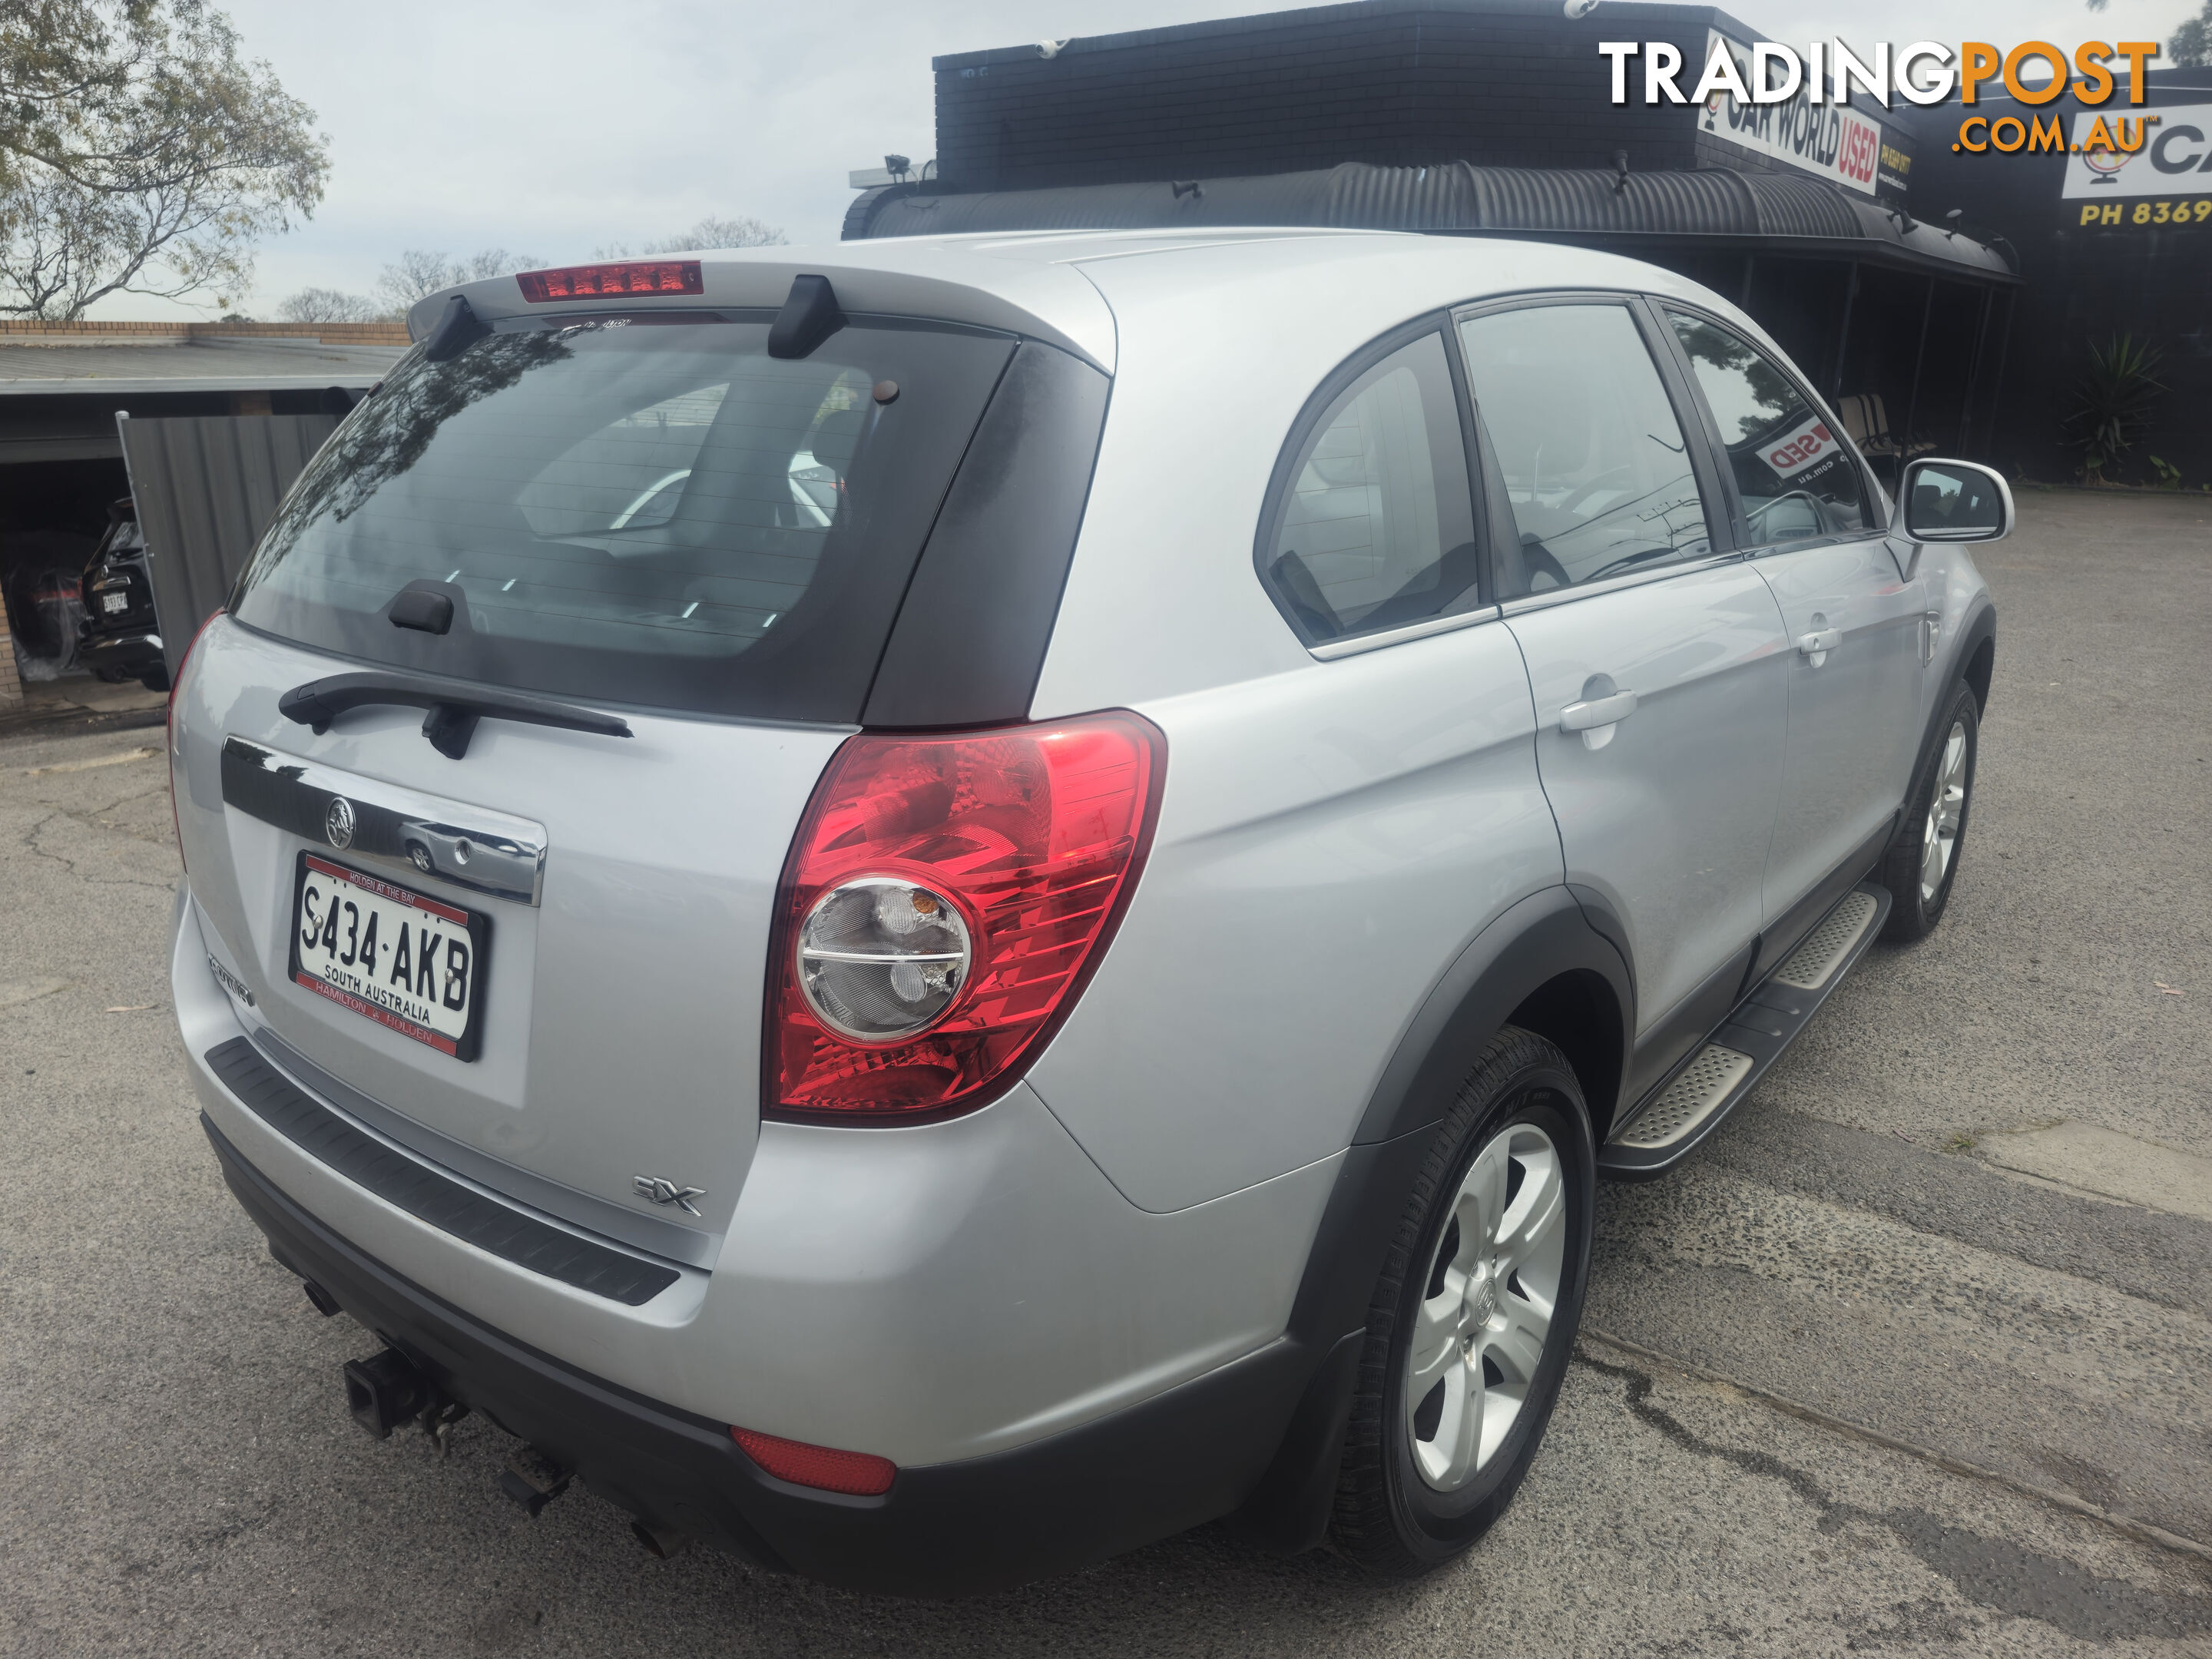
<point x="1034" y="833"/>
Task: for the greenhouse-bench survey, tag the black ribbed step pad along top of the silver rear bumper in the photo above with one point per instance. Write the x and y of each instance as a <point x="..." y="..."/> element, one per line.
<point x="430" y="1196"/>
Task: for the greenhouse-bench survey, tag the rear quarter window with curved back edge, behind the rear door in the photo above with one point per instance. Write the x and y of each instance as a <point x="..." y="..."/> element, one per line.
<point x="1379" y="530"/>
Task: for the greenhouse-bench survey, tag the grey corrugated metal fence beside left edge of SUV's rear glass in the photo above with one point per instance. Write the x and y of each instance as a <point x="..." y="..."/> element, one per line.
<point x="205" y="490"/>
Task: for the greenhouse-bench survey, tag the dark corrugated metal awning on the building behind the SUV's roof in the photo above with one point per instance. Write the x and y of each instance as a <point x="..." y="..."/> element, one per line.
<point x="1707" y="209"/>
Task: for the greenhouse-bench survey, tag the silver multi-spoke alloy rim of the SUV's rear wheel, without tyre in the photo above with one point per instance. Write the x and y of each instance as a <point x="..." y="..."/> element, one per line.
<point x="1488" y="1306"/>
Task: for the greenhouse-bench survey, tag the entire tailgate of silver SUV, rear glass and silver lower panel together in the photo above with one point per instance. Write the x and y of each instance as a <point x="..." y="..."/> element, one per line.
<point x="634" y="514"/>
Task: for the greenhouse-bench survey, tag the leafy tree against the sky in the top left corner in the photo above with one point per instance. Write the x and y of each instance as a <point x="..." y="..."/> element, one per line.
<point x="140" y="156"/>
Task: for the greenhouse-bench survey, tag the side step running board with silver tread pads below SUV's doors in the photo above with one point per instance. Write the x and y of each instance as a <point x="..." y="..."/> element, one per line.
<point x="1693" y="1103"/>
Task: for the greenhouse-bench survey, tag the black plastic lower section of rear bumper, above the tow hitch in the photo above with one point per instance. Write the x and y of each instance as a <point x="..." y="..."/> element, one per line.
<point x="1156" y="1470"/>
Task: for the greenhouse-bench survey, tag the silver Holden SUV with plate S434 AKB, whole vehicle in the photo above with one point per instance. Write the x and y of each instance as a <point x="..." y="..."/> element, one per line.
<point x="937" y="908"/>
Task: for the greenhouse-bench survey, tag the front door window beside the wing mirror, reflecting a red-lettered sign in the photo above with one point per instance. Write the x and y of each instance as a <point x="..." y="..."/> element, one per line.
<point x="1791" y="466"/>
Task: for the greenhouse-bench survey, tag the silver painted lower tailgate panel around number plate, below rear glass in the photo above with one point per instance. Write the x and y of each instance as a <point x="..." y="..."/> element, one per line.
<point x="620" y="1014"/>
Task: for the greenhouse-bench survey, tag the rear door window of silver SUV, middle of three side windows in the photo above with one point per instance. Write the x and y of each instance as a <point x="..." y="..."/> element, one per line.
<point x="1594" y="459"/>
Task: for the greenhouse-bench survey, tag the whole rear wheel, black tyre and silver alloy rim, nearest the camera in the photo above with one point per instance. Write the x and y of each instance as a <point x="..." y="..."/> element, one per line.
<point x="1474" y="1315"/>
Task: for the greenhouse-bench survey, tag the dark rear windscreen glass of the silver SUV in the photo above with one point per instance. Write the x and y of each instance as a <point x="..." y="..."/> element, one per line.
<point x="636" y="510"/>
